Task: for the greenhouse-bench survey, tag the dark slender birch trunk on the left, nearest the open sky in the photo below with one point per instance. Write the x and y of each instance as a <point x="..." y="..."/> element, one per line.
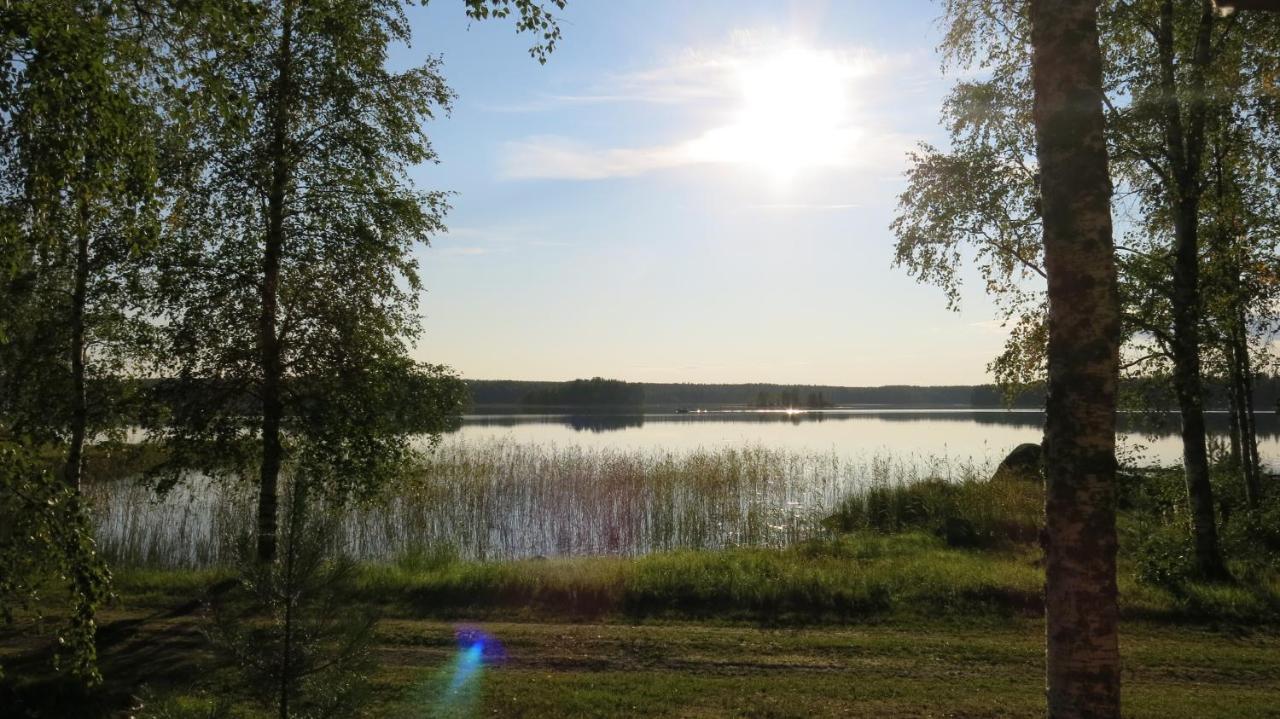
<point x="269" y="342"/>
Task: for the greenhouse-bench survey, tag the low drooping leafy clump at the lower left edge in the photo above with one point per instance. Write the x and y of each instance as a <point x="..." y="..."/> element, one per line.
<point x="48" y="558"/>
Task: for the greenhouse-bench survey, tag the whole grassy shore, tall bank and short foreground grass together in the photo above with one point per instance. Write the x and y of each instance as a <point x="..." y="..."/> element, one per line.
<point x="862" y="626"/>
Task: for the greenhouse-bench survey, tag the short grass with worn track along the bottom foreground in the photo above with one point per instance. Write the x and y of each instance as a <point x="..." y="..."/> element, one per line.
<point x="913" y="670"/>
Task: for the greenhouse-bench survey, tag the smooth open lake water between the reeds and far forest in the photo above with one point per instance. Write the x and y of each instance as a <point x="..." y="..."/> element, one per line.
<point x="979" y="437"/>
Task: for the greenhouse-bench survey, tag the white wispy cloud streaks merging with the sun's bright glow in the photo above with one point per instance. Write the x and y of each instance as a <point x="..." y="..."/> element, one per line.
<point x="789" y="108"/>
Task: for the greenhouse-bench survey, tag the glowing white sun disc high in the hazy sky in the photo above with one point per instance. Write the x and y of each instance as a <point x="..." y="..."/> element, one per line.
<point x="794" y="115"/>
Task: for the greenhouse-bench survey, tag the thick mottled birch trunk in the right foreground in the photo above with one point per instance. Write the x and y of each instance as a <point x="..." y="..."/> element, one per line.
<point x="1082" y="638"/>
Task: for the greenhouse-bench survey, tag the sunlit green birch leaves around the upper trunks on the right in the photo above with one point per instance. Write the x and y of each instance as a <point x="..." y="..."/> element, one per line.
<point x="976" y="203"/>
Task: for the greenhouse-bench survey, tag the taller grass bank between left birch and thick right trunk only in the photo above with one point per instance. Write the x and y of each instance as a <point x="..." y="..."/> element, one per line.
<point x="817" y="581"/>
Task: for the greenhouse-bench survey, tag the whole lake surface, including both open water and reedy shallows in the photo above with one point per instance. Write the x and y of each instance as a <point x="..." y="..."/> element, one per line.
<point x="509" y="487"/>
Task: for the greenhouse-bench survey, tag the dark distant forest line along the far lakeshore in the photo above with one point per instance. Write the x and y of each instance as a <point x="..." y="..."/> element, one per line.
<point x="1153" y="395"/>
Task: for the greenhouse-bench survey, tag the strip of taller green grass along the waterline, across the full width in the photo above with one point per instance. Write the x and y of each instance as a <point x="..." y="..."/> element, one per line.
<point x="861" y="578"/>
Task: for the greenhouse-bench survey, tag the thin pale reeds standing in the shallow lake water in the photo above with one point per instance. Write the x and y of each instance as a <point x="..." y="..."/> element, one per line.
<point x="502" y="501"/>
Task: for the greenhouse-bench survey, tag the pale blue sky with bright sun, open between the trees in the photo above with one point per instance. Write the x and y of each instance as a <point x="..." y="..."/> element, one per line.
<point x="689" y="191"/>
